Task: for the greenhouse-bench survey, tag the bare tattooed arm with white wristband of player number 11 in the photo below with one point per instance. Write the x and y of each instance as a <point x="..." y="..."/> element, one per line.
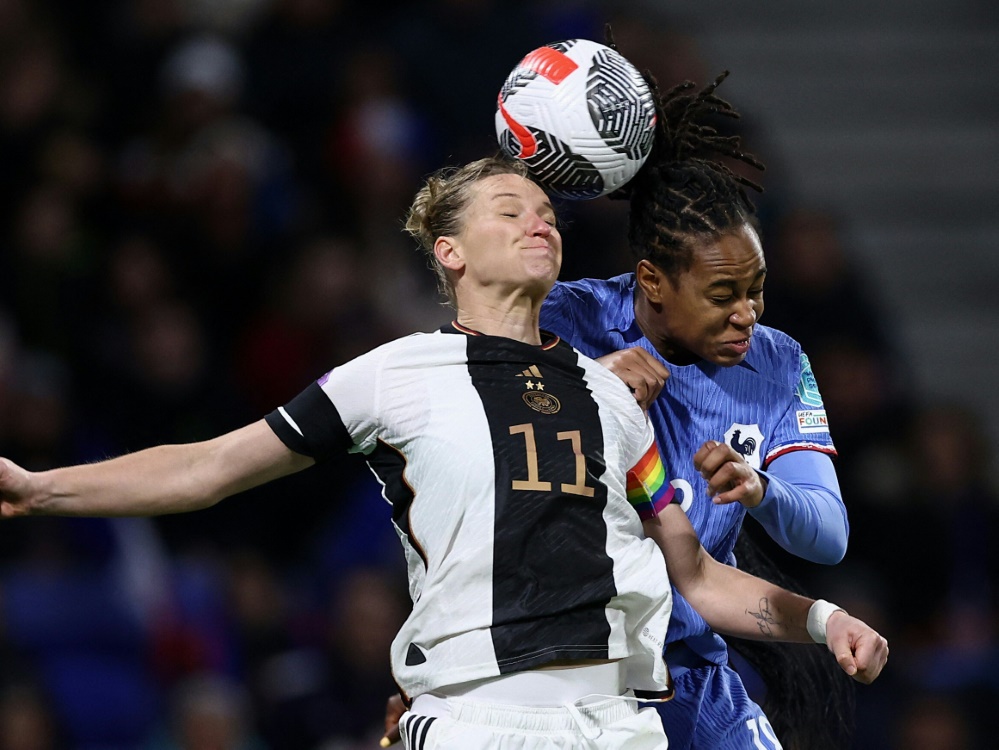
<point x="736" y="603"/>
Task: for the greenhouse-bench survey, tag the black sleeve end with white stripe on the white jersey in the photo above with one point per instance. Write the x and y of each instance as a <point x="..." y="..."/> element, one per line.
<point x="323" y="431"/>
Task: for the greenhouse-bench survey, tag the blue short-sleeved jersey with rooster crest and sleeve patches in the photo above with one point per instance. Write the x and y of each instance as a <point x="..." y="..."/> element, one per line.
<point x="765" y="406"/>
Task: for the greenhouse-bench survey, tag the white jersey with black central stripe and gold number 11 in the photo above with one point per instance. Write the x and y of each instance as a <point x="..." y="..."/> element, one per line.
<point x="505" y="465"/>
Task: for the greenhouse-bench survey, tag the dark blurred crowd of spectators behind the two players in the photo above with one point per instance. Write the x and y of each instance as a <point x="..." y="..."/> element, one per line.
<point x="200" y="213"/>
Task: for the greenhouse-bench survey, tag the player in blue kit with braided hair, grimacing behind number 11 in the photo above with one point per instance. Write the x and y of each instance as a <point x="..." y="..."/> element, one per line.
<point x="739" y="417"/>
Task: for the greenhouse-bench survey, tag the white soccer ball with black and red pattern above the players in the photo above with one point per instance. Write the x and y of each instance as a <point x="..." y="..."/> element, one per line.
<point x="579" y="115"/>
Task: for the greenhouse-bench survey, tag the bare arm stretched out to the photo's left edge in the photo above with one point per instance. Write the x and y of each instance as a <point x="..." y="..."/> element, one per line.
<point x="164" y="479"/>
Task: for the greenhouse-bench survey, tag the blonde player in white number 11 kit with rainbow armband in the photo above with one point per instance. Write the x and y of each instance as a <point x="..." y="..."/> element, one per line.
<point x="515" y="468"/>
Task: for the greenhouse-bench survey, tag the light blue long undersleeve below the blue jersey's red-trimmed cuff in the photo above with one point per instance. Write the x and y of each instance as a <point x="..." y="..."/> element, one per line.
<point x="802" y="509"/>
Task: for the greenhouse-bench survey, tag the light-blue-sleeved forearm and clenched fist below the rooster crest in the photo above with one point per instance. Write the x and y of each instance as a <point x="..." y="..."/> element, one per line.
<point x="797" y="500"/>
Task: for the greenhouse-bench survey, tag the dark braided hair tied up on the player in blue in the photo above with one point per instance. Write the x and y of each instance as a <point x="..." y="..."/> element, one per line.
<point x="685" y="193"/>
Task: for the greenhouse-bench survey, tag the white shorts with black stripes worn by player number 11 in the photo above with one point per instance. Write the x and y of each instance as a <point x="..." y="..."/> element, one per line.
<point x="476" y="719"/>
